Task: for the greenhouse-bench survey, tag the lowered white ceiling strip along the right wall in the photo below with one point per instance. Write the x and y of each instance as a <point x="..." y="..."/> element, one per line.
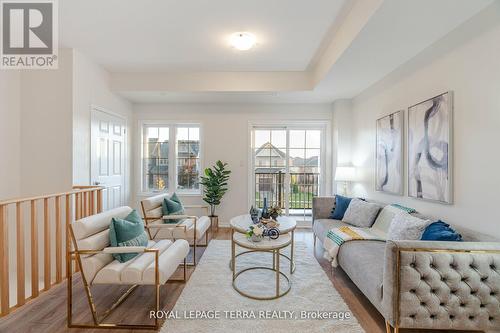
<point x="396" y="33"/>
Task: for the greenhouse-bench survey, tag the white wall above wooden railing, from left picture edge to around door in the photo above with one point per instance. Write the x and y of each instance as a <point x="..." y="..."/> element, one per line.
<point x="45" y="125"/>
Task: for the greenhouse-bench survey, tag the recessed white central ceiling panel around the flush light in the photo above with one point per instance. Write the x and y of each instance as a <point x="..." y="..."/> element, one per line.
<point x="192" y="35"/>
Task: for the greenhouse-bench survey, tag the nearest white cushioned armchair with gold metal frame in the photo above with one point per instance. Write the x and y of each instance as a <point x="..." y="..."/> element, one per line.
<point x="154" y="265"/>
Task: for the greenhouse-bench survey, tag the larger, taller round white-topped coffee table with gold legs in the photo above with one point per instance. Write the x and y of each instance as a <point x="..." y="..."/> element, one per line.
<point x="287" y="225"/>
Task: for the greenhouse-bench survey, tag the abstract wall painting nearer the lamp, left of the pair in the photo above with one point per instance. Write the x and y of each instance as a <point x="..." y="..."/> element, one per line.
<point x="389" y="152"/>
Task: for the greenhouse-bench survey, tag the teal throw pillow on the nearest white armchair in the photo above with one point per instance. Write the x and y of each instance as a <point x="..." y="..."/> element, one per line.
<point x="127" y="232"/>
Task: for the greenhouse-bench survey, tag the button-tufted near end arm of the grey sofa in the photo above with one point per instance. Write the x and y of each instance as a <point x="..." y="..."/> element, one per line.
<point x="442" y="285"/>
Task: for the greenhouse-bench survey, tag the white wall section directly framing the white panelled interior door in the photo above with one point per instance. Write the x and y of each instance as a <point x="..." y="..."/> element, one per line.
<point x="91" y="89"/>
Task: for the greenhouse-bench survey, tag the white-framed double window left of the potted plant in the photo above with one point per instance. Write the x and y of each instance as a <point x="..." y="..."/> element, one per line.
<point x="167" y="166"/>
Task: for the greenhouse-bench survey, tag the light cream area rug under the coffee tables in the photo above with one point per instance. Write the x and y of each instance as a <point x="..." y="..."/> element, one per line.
<point x="209" y="303"/>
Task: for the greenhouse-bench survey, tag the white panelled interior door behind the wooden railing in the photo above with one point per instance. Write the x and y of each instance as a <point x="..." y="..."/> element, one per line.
<point x="108" y="157"/>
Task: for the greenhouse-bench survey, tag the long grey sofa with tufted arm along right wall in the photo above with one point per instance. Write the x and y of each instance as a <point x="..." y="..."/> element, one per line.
<point x="422" y="284"/>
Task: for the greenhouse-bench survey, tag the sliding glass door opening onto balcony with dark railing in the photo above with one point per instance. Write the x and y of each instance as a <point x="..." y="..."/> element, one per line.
<point x="287" y="167"/>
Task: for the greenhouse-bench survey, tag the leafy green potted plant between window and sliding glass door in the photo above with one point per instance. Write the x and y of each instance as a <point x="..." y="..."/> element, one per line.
<point x="214" y="187"/>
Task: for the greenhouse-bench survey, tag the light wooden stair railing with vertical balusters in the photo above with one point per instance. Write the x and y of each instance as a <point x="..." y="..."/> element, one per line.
<point x="47" y="218"/>
